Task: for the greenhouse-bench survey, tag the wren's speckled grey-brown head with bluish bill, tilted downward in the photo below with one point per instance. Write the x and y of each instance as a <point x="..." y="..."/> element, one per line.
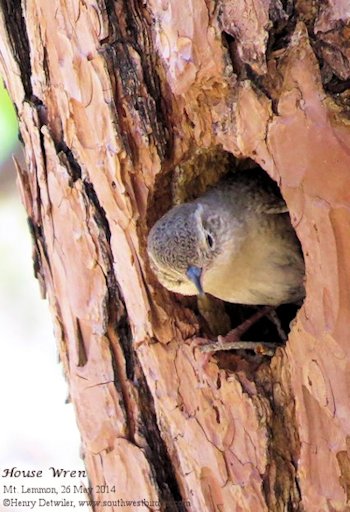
<point x="182" y="246"/>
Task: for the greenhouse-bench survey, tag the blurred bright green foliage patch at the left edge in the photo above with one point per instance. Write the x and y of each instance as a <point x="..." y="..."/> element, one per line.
<point x="8" y="125"/>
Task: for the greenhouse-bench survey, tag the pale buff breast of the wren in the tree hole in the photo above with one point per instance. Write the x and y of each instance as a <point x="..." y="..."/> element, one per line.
<point x="267" y="269"/>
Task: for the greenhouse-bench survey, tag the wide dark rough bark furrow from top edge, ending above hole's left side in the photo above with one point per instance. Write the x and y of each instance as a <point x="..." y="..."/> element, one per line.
<point x="129" y="52"/>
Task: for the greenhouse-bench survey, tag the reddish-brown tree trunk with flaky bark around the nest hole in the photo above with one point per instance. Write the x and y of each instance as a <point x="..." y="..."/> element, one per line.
<point x="120" y="104"/>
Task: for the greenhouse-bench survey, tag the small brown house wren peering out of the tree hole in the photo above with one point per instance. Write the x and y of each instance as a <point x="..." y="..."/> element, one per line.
<point x="235" y="242"/>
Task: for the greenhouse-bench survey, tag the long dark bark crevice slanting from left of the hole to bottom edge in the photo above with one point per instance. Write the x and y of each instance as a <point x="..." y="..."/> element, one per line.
<point x="155" y="449"/>
